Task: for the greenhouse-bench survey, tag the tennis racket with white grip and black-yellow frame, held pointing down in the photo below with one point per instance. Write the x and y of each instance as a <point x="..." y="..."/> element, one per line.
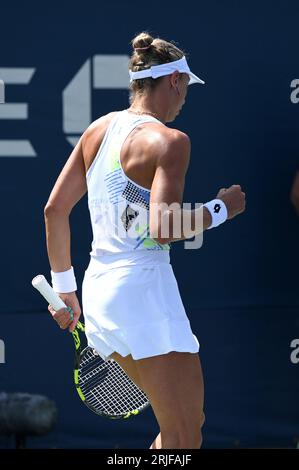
<point x="103" y="386"/>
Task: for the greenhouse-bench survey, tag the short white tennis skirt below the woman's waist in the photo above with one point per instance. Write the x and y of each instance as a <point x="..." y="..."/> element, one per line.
<point x="135" y="309"/>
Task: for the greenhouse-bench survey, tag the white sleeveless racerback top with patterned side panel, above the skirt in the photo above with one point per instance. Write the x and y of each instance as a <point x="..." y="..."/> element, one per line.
<point x="119" y="207"/>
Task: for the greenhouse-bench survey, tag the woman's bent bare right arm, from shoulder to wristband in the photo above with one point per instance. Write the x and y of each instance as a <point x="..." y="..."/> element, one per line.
<point x="168" y="188"/>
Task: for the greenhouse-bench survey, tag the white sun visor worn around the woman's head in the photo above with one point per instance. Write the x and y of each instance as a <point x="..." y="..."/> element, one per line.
<point x="156" y="71"/>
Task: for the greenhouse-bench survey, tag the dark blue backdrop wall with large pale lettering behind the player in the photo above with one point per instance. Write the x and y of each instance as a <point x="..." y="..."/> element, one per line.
<point x="241" y="288"/>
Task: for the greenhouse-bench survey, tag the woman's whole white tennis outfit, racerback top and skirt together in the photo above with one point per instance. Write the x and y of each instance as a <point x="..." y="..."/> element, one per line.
<point x="130" y="297"/>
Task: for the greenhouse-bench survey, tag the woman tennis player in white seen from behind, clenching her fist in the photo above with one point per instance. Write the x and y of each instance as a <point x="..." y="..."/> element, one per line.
<point x="133" y="167"/>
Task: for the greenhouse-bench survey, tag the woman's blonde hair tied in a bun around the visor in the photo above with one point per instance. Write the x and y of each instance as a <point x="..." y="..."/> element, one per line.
<point x="147" y="52"/>
